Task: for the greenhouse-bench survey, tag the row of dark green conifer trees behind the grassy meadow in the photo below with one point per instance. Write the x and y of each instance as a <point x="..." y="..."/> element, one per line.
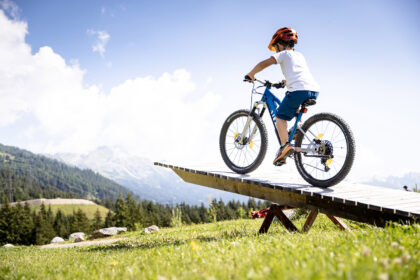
<point x="20" y="224"/>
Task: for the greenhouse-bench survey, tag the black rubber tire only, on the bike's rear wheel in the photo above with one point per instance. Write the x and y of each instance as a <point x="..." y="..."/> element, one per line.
<point x="351" y="150"/>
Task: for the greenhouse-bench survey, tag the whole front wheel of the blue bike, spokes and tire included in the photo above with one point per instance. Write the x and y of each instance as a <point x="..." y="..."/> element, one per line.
<point x="243" y="154"/>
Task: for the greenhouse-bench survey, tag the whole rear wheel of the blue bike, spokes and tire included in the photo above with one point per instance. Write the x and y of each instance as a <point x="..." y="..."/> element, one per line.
<point x="328" y="150"/>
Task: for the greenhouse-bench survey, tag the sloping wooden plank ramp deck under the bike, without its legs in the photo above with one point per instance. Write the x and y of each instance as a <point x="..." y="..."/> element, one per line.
<point x="358" y="202"/>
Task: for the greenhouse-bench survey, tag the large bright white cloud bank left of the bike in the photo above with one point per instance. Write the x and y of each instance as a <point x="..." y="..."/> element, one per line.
<point x="158" y="117"/>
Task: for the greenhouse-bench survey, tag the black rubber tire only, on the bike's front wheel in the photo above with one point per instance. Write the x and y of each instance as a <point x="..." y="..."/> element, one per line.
<point x="263" y="148"/>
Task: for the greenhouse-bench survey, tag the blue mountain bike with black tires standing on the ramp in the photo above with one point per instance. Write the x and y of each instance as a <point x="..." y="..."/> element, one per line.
<point x="325" y="142"/>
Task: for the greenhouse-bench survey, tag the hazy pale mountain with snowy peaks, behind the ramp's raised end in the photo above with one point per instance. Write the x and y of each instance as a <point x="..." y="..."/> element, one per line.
<point x="143" y="178"/>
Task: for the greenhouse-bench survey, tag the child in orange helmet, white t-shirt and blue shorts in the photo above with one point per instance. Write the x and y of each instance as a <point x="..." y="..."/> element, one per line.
<point x="299" y="81"/>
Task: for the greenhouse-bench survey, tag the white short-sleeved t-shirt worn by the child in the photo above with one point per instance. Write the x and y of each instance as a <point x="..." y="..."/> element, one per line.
<point x="295" y="71"/>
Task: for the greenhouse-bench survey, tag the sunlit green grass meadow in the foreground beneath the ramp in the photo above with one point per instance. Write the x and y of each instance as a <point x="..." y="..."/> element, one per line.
<point x="231" y="250"/>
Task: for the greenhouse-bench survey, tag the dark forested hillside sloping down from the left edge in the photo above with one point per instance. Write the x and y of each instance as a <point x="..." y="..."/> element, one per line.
<point x="24" y="176"/>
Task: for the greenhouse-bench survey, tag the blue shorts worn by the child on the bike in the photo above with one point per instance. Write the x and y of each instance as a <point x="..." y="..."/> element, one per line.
<point x="292" y="101"/>
